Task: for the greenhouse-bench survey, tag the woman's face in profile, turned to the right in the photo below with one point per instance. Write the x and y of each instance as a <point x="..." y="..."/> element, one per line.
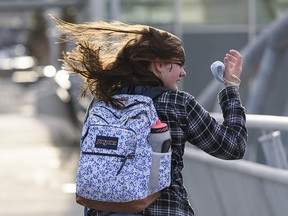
<point x="171" y="74"/>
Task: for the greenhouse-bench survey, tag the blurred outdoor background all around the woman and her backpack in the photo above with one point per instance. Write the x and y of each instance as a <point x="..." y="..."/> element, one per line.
<point x="41" y="114"/>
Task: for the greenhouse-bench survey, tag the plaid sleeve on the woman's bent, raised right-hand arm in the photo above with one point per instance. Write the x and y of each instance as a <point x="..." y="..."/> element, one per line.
<point x="226" y="140"/>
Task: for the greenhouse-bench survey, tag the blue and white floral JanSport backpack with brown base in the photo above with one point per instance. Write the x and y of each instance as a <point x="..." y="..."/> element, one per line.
<point x="117" y="164"/>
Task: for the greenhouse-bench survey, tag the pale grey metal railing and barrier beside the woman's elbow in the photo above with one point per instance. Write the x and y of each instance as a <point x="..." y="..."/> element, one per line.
<point x="224" y="188"/>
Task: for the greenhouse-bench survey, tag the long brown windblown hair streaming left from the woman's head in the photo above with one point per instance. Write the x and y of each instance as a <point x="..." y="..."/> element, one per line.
<point x="112" y="55"/>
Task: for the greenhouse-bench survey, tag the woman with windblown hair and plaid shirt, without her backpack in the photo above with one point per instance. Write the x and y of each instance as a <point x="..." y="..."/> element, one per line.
<point x="113" y="55"/>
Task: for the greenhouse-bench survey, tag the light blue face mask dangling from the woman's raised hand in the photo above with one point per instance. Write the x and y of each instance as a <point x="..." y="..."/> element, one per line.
<point x="217" y="69"/>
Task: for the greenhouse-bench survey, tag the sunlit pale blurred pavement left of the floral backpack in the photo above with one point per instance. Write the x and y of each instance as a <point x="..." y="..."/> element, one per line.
<point x="37" y="176"/>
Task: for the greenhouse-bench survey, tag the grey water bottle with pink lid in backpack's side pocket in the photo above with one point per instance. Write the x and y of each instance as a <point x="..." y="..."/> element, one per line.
<point x="160" y="138"/>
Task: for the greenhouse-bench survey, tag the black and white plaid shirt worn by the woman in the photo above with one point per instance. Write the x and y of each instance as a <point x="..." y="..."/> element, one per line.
<point x="190" y="122"/>
